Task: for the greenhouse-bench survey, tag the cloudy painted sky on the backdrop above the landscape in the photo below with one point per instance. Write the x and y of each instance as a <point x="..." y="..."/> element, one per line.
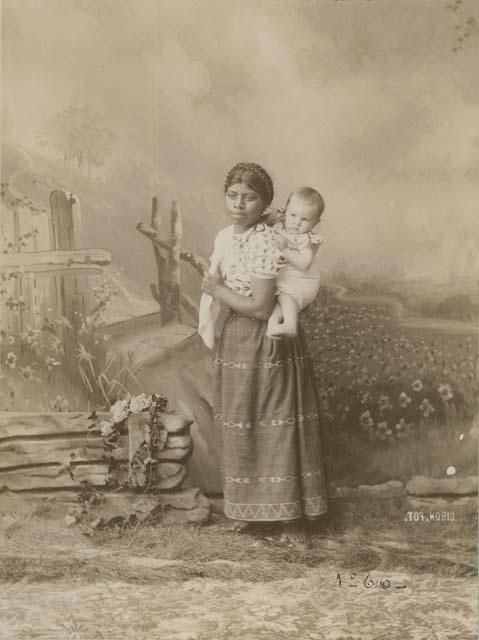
<point x="363" y="99"/>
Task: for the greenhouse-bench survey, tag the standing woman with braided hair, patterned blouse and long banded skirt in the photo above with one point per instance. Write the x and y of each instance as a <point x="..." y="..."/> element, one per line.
<point x="264" y="399"/>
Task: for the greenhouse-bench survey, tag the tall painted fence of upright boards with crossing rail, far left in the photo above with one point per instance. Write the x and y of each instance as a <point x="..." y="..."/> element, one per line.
<point x="44" y="270"/>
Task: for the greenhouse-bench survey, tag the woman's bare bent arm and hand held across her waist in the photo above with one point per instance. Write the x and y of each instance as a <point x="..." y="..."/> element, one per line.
<point x="259" y="305"/>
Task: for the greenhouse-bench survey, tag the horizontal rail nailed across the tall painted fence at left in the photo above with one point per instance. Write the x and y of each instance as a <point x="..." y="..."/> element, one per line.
<point x="55" y="260"/>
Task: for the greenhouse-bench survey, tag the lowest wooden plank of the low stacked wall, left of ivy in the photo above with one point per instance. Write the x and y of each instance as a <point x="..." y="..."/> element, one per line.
<point x="53" y="477"/>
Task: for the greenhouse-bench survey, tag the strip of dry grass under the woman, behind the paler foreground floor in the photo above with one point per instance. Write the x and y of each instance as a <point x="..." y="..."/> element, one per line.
<point x="362" y="535"/>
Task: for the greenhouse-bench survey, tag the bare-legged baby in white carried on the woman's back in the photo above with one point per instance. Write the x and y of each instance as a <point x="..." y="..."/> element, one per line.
<point x="298" y="280"/>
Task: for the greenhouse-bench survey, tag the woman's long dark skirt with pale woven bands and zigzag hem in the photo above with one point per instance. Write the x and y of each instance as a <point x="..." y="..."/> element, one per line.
<point x="266" y="414"/>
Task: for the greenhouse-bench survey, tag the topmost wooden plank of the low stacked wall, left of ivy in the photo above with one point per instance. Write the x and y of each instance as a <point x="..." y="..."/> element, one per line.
<point x="14" y="424"/>
